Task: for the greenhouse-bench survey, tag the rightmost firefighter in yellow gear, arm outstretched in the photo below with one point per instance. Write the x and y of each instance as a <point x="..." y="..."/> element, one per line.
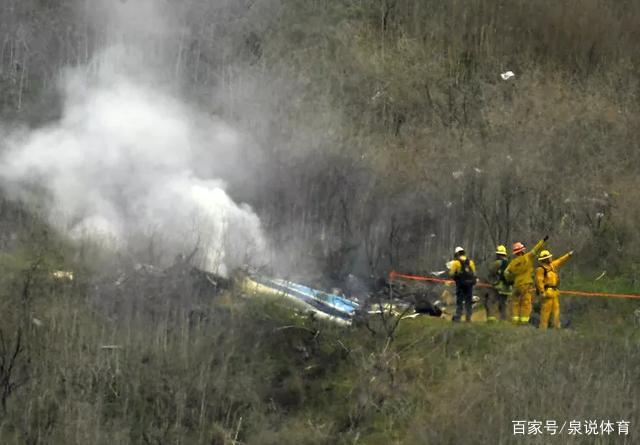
<point x="547" y="281"/>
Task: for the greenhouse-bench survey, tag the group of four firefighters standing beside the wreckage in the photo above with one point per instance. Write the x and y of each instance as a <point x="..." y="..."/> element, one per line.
<point x="514" y="282"/>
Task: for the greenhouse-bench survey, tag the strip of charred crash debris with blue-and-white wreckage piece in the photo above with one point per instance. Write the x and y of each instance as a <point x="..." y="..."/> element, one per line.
<point x="186" y="289"/>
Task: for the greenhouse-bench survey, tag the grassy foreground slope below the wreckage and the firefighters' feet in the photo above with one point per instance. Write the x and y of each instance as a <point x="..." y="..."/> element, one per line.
<point x="90" y="361"/>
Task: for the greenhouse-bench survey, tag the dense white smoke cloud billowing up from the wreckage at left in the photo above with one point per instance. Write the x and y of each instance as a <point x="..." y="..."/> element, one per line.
<point x="128" y="161"/>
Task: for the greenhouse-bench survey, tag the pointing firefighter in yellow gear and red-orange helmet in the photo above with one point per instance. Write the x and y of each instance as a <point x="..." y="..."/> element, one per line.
<point x="520" y="272"/>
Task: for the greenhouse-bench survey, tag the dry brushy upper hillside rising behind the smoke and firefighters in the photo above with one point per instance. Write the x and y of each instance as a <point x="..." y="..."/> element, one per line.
<point x="382" y="132"/>
